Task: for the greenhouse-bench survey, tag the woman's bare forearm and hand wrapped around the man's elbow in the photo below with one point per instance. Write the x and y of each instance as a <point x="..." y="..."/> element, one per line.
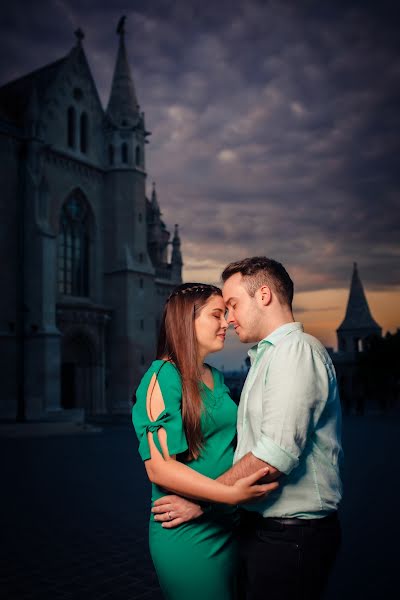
<point x="172" y="475"/>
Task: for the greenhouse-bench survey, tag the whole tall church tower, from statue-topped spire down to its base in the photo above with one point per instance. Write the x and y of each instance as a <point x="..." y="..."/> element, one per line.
<point x="129" y="275"/>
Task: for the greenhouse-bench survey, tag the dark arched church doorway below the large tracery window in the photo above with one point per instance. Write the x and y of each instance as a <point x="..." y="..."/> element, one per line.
<point x="78" y="372"/>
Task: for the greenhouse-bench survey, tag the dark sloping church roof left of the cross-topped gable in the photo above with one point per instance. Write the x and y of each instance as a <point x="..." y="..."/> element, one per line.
<point x="14" y="96"/>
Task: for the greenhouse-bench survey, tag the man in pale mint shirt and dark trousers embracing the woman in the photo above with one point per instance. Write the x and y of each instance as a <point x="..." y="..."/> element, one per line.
<point x="289" y="420"/>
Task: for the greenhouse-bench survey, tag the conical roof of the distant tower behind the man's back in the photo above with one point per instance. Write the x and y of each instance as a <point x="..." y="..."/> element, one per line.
<point x="358" y="315"/>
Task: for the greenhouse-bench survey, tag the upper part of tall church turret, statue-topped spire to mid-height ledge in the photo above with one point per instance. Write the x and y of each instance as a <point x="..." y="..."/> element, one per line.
<point x="125" y="134"/>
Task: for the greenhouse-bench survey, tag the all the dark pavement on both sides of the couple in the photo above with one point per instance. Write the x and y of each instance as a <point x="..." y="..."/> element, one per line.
<point x="75" y="509"/>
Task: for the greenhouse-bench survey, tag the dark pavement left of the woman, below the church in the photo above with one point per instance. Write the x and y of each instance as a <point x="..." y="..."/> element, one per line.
<point x="75" y="520"/>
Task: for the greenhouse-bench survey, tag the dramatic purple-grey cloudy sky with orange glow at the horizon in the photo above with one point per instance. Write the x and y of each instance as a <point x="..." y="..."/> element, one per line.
<point x="275" y="131"/>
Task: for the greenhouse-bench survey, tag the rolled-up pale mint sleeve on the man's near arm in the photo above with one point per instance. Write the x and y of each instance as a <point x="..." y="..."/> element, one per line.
<point x="294" y="393"/>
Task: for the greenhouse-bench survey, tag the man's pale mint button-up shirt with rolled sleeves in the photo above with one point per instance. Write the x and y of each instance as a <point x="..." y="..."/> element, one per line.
<point x="289" y="416"/>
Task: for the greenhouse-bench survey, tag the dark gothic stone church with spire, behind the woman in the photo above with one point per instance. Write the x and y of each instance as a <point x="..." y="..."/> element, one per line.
<point x="87" y="261"/>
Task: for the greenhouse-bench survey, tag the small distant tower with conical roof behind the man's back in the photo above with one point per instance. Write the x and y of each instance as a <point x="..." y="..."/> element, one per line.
<point x="358" y="325"/>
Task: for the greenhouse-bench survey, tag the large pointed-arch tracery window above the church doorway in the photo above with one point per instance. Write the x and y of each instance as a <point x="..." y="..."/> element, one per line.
<point x="73" y="248"/>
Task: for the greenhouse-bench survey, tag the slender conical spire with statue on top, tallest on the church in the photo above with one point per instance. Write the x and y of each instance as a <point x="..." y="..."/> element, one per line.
<point x="123" y="106"/>
